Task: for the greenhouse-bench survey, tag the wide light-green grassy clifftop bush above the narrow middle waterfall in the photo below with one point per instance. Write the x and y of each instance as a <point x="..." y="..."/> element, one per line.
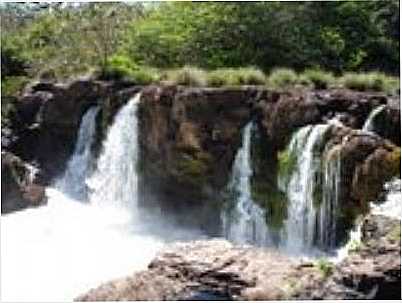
<point x="235" y="77"/>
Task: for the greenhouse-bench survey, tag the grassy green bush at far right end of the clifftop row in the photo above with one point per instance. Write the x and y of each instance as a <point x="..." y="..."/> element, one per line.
<point x="373" y="81"/>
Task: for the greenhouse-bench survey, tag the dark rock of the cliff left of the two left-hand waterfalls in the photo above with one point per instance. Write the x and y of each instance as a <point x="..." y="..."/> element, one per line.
<point x="46" y="120"/>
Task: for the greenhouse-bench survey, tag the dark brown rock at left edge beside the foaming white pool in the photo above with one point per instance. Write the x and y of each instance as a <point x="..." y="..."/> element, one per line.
<point x="18" y="188"/>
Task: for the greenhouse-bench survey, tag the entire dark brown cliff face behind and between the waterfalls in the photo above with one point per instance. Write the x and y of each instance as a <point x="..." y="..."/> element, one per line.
<point x="189" y="136"/>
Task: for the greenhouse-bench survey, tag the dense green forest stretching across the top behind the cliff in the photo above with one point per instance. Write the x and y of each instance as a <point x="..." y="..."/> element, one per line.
<point x="139" y="40"/>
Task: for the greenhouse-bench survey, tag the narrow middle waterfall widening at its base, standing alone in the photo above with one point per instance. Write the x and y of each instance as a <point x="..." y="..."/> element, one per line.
<point x="244" y="221"/>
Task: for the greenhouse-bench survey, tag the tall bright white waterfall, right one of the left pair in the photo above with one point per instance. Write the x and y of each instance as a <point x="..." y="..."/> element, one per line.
<point x="115" y="179"/>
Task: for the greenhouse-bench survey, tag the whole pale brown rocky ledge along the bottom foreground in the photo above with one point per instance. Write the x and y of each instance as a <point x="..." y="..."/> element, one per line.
<point x="216" y="269"/>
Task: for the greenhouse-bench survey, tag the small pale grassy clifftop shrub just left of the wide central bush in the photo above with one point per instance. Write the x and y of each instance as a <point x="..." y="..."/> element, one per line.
<point x="188" y="75"/>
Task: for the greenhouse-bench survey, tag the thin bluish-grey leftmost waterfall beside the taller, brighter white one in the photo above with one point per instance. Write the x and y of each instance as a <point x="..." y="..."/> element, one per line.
<point x="73" y="180"/>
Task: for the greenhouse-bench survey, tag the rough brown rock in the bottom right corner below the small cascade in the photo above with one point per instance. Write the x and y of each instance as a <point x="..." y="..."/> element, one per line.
<point x="373" y="271"/>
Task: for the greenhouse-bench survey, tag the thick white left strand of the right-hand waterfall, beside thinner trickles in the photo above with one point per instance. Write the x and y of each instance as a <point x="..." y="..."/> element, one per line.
<point x="301" y="224"/>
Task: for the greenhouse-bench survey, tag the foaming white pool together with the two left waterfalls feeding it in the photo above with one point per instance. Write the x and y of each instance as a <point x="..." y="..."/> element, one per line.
<point x="56" y="252"/>
